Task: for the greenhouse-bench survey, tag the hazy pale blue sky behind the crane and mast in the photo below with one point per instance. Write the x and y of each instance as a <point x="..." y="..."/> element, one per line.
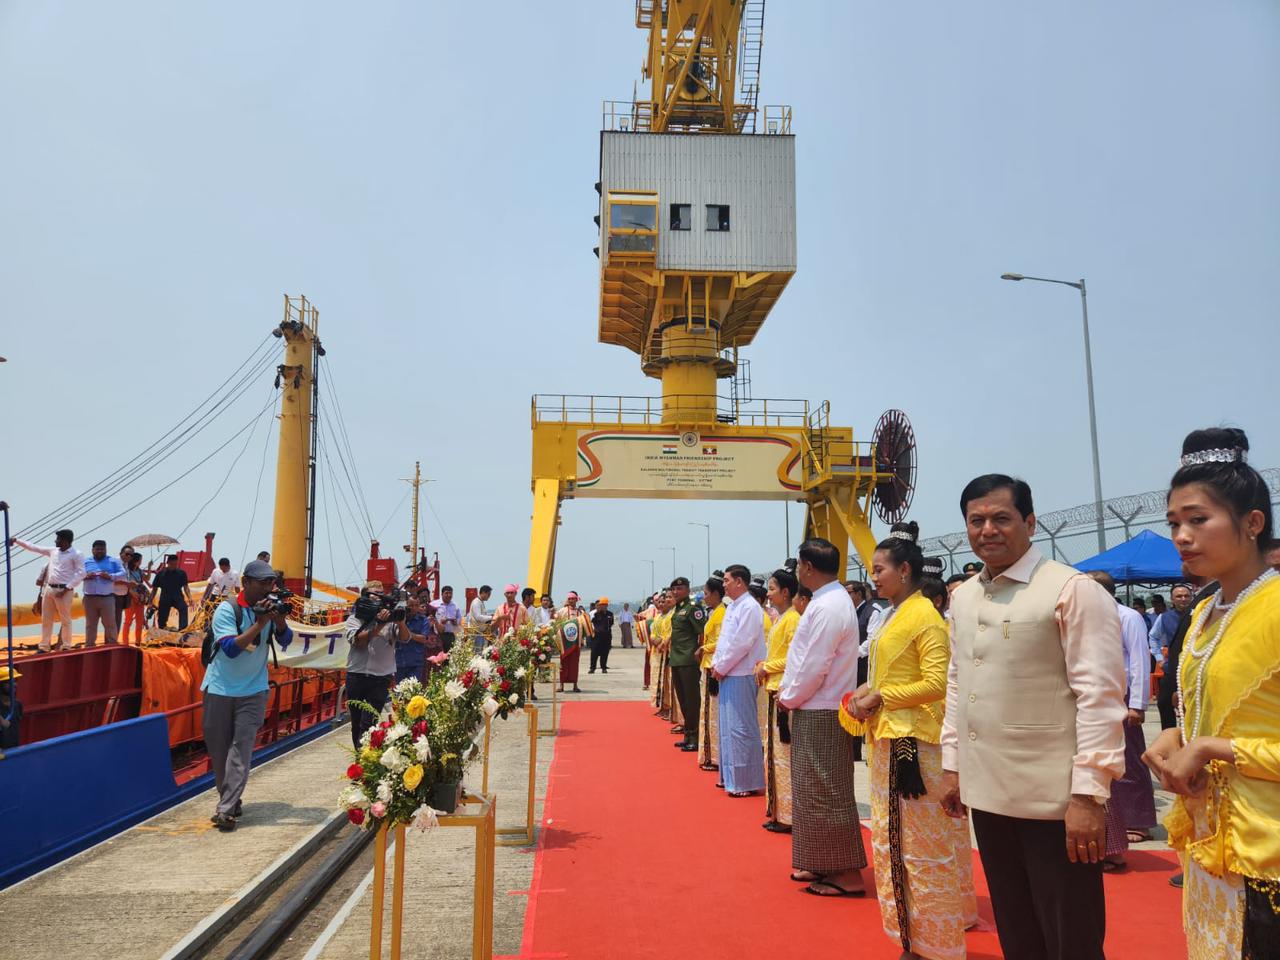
<point x="424" y="176"/>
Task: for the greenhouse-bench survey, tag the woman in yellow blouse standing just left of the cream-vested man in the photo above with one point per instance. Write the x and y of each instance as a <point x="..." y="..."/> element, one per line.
<point x="922" y="856"/>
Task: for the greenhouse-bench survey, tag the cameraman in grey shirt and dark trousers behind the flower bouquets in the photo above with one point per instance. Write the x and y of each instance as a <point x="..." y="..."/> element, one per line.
<point x="376" y="627"/>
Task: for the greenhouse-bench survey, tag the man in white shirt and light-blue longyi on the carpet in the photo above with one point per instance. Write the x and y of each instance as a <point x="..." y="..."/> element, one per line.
<point x="740" y="647"/>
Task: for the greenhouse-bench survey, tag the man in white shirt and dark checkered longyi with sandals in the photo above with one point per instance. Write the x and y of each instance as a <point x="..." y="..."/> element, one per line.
<point x="822" y="666"/>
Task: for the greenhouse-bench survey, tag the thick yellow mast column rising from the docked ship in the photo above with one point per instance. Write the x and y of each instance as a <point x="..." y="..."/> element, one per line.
<point x="294" y="460"/>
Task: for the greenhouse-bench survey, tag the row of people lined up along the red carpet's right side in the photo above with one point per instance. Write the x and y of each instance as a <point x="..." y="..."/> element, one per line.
<point x="1004" y="705"/>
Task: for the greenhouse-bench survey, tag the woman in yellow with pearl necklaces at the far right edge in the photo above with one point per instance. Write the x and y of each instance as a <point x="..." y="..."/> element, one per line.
<point x="1223" y="761"/>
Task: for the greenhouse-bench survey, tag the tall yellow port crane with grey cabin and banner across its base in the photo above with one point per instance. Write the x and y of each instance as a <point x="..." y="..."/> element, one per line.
<point x="698" y="243"/>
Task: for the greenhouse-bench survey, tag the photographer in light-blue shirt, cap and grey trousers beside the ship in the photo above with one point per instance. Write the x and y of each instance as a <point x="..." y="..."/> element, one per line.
<point x="235" y="685"/>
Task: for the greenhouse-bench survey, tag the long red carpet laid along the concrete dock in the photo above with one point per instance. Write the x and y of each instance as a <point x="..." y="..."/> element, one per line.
<point x="641" y="857"/>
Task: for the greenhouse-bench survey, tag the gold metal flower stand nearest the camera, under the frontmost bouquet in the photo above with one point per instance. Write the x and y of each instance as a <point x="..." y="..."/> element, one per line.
<point x="482" y="820"/>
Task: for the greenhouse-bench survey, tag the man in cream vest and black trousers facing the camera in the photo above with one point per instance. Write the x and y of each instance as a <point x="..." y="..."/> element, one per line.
<point x="1034" y="735"/>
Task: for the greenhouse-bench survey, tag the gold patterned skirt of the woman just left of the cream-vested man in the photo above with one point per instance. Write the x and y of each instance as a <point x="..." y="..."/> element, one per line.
<point x="924" y="861"/>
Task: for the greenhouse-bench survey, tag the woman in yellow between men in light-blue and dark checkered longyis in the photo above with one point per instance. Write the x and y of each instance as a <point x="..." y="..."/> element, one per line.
<point x="783" y="589"/>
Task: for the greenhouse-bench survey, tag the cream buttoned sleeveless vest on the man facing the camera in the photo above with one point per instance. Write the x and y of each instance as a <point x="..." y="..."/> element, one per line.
<point x="1016" y="712"/>
